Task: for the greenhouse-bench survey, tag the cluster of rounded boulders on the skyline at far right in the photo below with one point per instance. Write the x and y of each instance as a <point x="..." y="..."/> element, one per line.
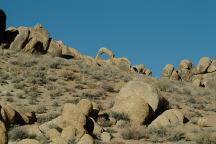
<point x="194" y="74"/>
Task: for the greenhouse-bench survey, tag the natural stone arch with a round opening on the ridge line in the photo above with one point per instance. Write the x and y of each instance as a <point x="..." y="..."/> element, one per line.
<point x="101" y="51"/>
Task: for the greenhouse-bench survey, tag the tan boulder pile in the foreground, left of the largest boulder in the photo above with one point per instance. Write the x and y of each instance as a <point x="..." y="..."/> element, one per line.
<point x="78" y="123"/>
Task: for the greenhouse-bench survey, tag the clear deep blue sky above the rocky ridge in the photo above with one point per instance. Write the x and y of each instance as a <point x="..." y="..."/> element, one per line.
<point x="152" y="32"/>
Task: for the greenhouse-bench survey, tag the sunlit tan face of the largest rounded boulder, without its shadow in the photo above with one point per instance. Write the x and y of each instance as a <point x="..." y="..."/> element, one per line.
<point x="136" y="99"/>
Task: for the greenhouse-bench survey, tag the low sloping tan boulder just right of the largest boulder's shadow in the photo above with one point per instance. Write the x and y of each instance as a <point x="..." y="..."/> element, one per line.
<point x="167" y="118"/>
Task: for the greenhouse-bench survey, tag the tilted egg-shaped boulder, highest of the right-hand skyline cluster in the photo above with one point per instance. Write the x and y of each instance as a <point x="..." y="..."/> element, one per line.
<point x="203" y="65"/>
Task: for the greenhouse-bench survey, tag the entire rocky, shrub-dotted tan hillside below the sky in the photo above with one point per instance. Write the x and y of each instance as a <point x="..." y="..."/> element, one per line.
<point x="50" y="93"/>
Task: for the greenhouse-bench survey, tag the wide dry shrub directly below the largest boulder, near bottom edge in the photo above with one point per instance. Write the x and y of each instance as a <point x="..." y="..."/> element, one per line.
<point x="133" y="133"/>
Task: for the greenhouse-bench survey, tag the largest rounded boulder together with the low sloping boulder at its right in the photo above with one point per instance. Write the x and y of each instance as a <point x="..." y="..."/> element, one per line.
<point x="144" y="105"/>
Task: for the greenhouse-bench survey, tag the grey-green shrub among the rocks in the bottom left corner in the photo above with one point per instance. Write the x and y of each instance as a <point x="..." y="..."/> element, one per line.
<point x="18" y="134"/>
